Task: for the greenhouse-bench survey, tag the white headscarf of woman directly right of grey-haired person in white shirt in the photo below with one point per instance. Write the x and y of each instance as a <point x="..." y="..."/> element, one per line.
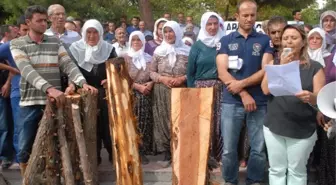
<point x="139" y="58"/>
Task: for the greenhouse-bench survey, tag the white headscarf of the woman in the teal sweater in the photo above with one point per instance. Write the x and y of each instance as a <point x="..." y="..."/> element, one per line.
<point x="204" y="36"/>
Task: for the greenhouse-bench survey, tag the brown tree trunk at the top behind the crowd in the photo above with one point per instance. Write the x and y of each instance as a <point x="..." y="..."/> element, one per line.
<point x="146" y="13"/>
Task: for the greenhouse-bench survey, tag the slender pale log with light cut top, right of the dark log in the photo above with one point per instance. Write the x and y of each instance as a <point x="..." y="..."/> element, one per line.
<point x="84" y="159"/>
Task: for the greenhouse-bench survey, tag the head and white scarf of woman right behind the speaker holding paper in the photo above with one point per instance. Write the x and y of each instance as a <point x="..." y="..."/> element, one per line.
<point x="317" y="49"/>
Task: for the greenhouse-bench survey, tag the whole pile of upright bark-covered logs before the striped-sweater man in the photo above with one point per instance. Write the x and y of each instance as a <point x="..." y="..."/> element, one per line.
<point x="65" y="145"/>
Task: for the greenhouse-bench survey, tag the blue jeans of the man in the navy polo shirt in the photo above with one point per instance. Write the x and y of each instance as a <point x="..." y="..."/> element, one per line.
<point x="232" y="119"/>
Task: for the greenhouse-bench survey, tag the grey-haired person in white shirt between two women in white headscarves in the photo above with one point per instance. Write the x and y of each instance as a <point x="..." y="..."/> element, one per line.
<point x="121" y="46"/>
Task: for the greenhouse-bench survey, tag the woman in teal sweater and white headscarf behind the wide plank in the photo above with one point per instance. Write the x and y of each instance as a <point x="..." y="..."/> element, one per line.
<point x="202" y="69"/>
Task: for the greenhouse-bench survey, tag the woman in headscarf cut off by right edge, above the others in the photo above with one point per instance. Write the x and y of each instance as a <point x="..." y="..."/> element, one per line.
<point x="328" y="23"/>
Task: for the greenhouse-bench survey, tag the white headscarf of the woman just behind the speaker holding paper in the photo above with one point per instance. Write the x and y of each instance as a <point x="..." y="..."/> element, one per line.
<point x="322" y="52"/>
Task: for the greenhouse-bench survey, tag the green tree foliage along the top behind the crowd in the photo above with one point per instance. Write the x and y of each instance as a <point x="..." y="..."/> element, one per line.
<point x="112" y="9"/>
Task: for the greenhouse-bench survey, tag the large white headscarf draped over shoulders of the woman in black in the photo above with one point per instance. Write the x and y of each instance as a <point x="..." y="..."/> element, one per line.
<point x="86" y="55"/>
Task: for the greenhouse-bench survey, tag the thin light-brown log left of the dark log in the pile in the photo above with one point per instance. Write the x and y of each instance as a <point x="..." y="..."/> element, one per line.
<point x="64" y="150"/>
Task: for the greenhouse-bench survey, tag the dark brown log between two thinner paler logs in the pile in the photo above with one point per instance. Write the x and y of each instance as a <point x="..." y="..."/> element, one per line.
<point x="71" y="136"/>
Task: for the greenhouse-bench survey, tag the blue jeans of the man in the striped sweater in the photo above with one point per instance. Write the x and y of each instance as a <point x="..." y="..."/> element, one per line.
<point x="29" y="119"/>
